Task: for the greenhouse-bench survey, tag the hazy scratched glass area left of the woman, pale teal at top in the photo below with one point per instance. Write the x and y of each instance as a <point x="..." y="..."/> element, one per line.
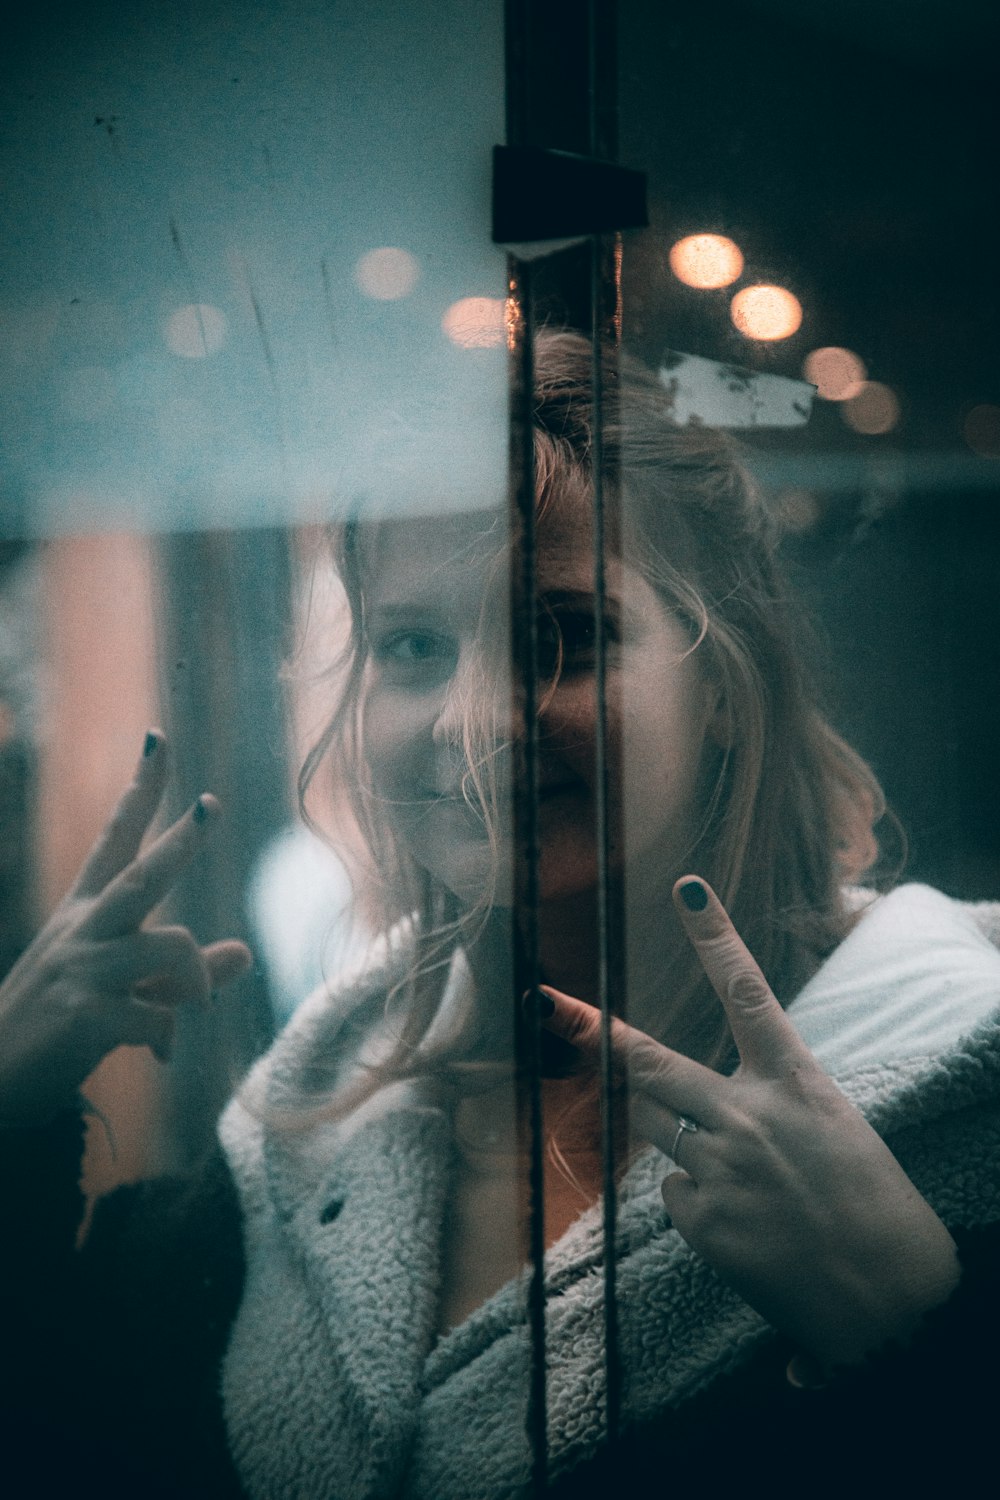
<point x="248" y="290"/>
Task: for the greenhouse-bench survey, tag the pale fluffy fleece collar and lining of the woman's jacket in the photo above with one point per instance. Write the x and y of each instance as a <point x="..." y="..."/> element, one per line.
<point x="335" y="1384"/>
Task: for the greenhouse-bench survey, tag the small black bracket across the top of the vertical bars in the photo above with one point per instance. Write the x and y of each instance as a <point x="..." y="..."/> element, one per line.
<point x="557" y="196"/>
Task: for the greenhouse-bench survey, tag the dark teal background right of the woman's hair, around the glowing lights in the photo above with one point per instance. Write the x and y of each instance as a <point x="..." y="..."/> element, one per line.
<point x="852" y="157"/>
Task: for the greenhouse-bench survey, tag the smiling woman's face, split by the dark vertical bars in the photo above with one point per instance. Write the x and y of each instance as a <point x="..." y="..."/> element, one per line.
<point x="440" y="652"/>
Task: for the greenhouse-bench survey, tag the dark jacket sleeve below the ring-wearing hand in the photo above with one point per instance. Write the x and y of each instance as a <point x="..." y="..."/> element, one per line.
<point x="906" y="1421"/>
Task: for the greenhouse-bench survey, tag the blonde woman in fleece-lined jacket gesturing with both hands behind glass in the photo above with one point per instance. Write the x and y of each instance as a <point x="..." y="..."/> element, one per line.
<point x="368" y="1325"/>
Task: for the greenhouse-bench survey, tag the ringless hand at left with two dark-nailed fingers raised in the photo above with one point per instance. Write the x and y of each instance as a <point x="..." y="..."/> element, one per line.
<point x="95" y="979"/>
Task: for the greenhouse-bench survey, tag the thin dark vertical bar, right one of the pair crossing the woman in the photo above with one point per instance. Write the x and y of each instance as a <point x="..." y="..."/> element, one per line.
<point x="612" y="1354"/>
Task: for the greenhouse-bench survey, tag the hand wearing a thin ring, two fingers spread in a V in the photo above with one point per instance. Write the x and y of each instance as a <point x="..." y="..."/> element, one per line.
<point x="783" y="1187"/>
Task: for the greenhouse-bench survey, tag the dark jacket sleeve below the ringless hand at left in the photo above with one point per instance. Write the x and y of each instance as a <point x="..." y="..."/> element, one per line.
<point x="112" y="1354"/>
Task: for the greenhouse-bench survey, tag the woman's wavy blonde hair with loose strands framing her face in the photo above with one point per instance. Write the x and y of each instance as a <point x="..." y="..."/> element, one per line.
<point x="789" y="808"/>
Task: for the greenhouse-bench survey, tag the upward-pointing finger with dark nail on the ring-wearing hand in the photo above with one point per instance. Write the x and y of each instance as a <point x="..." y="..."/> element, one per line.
<point x="764" y="1034"/>
